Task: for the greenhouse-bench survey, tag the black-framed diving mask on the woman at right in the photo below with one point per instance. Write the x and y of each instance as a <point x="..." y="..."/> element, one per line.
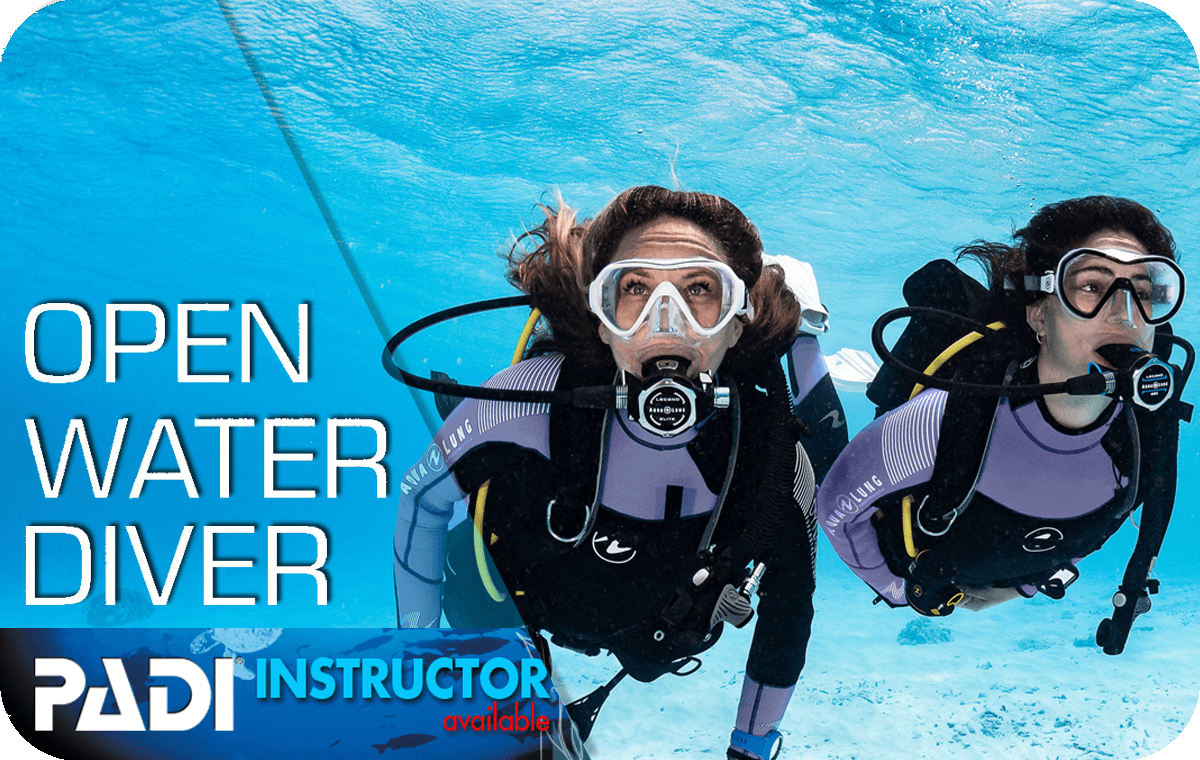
<point x="1087" y="279"/>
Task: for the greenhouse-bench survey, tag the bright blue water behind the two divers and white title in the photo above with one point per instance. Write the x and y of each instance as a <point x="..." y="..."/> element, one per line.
<point x="385" y="155"/>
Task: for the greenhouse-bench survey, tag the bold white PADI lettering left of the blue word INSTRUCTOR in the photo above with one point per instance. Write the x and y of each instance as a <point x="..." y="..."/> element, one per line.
<point x="203" y="695"/>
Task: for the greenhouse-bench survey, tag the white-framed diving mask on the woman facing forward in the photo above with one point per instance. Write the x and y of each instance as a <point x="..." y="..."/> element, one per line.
<point x="673" y="296"/>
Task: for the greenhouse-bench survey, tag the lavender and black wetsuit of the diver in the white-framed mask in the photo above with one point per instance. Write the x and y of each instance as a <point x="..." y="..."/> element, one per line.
<point x="641" y="469"/>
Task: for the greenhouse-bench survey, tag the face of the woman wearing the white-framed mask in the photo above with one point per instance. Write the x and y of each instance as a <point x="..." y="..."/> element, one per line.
<point x="661" y="240"/>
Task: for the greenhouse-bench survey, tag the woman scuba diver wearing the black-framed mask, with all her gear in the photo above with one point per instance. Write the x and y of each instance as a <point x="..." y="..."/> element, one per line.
<point x="1041" y="432"/>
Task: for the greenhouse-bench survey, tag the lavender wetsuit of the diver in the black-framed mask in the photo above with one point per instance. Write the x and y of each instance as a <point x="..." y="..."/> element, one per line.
<point x="1034" y="468"/>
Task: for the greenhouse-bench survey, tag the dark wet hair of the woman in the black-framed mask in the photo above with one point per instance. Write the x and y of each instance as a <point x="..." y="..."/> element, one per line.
<point x="1060" y="228"/>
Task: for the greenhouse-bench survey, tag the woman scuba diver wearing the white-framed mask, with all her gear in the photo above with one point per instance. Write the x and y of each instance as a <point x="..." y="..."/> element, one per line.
<point x="641" y="530"/>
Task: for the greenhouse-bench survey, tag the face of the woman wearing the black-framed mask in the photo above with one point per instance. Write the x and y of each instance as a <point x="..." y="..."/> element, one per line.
<point x="1070" y="343"/>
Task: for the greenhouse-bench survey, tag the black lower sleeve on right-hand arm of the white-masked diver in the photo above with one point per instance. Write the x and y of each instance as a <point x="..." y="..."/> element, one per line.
<point x="785" y="599"/>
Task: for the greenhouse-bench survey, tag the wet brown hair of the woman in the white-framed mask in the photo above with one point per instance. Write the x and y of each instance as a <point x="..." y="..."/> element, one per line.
<point x="557" y="261"/>
